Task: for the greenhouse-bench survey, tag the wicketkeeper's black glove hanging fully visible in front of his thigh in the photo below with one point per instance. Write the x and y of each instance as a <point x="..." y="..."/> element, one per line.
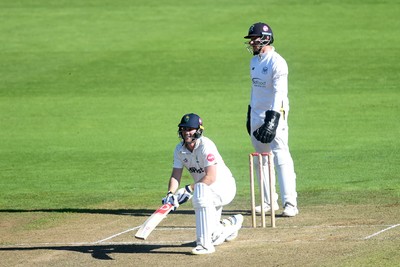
<point x="266" y="133"/>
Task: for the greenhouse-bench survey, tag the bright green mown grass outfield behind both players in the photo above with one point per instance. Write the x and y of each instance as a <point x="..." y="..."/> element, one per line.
<point x="91" y="93"/>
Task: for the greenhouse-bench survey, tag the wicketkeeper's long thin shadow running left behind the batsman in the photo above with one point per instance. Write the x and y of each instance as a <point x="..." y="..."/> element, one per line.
<point x="129" y="212"/>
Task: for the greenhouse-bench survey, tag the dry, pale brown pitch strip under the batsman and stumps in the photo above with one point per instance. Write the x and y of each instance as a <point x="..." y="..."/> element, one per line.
<point x="319" y="235"/>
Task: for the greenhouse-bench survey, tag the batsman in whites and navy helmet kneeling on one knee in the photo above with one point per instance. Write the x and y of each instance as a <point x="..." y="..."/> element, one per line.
<point x="213" y="186"/>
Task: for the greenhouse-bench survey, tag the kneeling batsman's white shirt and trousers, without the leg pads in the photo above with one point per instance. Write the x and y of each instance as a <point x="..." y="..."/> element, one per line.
<point x="206" y="154"/>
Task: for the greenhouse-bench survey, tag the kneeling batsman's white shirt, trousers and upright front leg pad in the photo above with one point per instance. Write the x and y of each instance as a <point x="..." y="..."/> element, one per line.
<point x="208" y="201"/>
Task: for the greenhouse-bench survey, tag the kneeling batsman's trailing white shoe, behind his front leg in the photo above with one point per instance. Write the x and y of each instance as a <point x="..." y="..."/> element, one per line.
<point x="230" y="229"/>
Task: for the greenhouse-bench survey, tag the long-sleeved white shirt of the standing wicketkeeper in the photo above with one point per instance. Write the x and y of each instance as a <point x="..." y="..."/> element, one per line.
<point x="269" y="89"/>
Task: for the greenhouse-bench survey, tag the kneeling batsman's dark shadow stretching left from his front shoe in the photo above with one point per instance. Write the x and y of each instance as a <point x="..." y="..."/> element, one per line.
<point x="102" y="252"/>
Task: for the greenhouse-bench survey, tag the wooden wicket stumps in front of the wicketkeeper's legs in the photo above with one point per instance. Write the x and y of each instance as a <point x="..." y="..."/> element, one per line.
<point x="260" y="157"/>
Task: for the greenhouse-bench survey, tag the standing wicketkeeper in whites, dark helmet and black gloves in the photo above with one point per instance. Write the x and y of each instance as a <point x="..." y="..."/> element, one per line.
<point x="267" y="116"/>
